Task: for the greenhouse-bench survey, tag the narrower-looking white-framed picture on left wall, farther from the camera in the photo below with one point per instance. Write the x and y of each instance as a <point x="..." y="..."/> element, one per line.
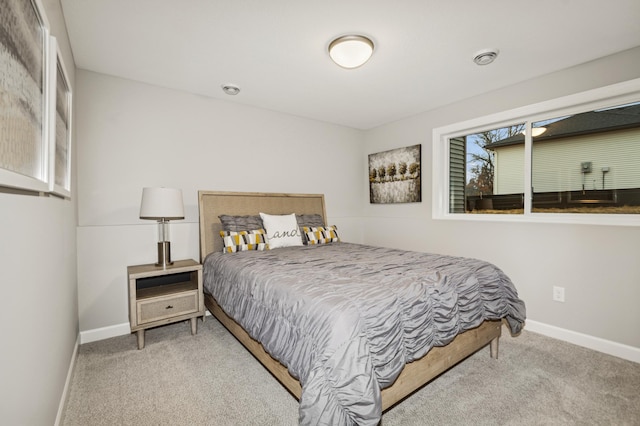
<point x="60" y="114"/>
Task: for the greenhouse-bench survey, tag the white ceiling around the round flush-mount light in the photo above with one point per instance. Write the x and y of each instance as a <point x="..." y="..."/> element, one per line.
<point x="276" y="50"/>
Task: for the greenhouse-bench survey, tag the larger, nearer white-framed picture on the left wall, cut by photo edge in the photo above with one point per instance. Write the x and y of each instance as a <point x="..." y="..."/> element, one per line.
<point x="25" y="85"/>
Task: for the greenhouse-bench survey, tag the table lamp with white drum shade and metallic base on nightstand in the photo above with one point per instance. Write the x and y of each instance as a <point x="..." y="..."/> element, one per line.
<point x="162" y="204"/>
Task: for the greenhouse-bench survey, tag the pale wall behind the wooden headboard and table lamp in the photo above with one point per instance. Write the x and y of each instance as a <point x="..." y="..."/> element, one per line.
<point x="135" y="135"/>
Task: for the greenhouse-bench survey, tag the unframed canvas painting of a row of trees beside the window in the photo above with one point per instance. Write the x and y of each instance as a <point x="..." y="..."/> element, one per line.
<point x="395" y="177"/>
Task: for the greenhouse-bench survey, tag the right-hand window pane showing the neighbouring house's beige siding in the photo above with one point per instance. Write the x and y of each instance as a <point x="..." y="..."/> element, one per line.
<point x="588" y="162"/>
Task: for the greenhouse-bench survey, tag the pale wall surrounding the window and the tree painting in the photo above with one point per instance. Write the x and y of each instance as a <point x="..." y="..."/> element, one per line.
<point x="597" y="265"/>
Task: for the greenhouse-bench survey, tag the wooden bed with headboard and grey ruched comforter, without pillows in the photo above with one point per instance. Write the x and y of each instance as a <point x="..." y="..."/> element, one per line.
<point x="332" y="393"/>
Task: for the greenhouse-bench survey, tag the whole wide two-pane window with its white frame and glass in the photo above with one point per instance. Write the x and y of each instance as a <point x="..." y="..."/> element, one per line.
<point x="574" y="159"/>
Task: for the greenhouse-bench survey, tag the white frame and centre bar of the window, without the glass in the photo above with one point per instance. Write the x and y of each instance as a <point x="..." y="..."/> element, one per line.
<point x="607" y="96"/>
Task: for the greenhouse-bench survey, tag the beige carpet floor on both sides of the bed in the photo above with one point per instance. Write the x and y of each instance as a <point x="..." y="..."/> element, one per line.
<point x="210" y="379"/>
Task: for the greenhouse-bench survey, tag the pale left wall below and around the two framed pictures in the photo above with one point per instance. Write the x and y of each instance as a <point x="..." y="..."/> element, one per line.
<point x="39" y="318"/>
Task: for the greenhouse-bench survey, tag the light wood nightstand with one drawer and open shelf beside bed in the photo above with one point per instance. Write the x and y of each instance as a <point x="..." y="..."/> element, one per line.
<point x="159" y="296"/>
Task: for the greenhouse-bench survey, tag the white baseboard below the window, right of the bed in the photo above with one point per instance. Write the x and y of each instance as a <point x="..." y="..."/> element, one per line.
<point x="597" y="344"/>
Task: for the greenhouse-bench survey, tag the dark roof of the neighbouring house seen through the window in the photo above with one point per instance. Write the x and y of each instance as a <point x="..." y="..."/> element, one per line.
<point x="604" y="120"/>
